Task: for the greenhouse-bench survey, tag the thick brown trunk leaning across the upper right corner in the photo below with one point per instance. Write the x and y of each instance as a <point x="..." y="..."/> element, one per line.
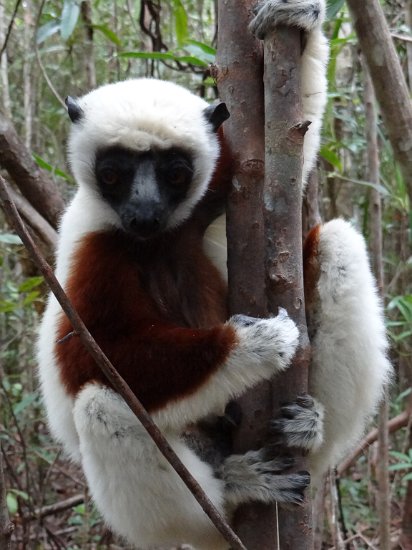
<point x="388" y="79"/>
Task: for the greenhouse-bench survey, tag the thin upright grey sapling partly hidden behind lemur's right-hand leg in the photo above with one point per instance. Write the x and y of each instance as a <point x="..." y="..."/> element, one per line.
<point x="375" y="241"/>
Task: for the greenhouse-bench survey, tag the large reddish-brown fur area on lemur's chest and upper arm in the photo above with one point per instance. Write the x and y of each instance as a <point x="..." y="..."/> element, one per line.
<point x="129" y="298"/>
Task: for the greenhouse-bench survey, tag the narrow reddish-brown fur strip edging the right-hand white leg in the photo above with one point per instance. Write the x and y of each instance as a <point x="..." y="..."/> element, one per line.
<point x="311" y="273"/>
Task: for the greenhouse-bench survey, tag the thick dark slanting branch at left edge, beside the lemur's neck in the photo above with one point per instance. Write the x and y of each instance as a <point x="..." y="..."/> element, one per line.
<point x="34" y="184"/>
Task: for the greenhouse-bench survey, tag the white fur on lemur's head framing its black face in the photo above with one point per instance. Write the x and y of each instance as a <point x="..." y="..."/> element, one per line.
<point x="142" y="114"/>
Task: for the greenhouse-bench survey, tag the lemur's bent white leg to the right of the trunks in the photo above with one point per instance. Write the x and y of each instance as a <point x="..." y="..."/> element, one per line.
<point x="346" y="327"/>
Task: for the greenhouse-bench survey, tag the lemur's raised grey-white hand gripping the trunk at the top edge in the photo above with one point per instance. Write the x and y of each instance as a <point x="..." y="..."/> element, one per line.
<point x="305" y="14"/>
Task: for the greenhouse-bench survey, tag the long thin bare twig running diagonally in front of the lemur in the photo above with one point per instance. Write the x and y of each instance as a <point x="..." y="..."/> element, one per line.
<point x="112" y="375"/>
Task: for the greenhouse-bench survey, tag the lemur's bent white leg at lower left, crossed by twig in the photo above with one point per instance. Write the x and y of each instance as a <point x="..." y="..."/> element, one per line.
<point x="136" y="490"/>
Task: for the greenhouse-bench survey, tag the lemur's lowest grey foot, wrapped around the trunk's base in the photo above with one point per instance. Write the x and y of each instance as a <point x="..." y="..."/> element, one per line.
<point x="250" y="477"/>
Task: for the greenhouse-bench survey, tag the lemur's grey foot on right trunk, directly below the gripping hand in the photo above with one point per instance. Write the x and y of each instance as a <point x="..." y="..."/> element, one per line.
<point x="300" y="424"/>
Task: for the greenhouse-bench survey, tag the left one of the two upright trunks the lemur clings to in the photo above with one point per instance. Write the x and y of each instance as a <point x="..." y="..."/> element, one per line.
<point x="239" y="79"/>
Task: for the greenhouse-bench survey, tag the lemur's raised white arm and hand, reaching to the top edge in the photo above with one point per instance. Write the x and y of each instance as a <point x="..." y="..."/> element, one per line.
<point x="308" y="15"/>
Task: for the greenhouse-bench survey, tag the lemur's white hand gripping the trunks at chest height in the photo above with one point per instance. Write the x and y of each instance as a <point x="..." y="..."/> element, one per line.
<point x="267" y="343"/>
